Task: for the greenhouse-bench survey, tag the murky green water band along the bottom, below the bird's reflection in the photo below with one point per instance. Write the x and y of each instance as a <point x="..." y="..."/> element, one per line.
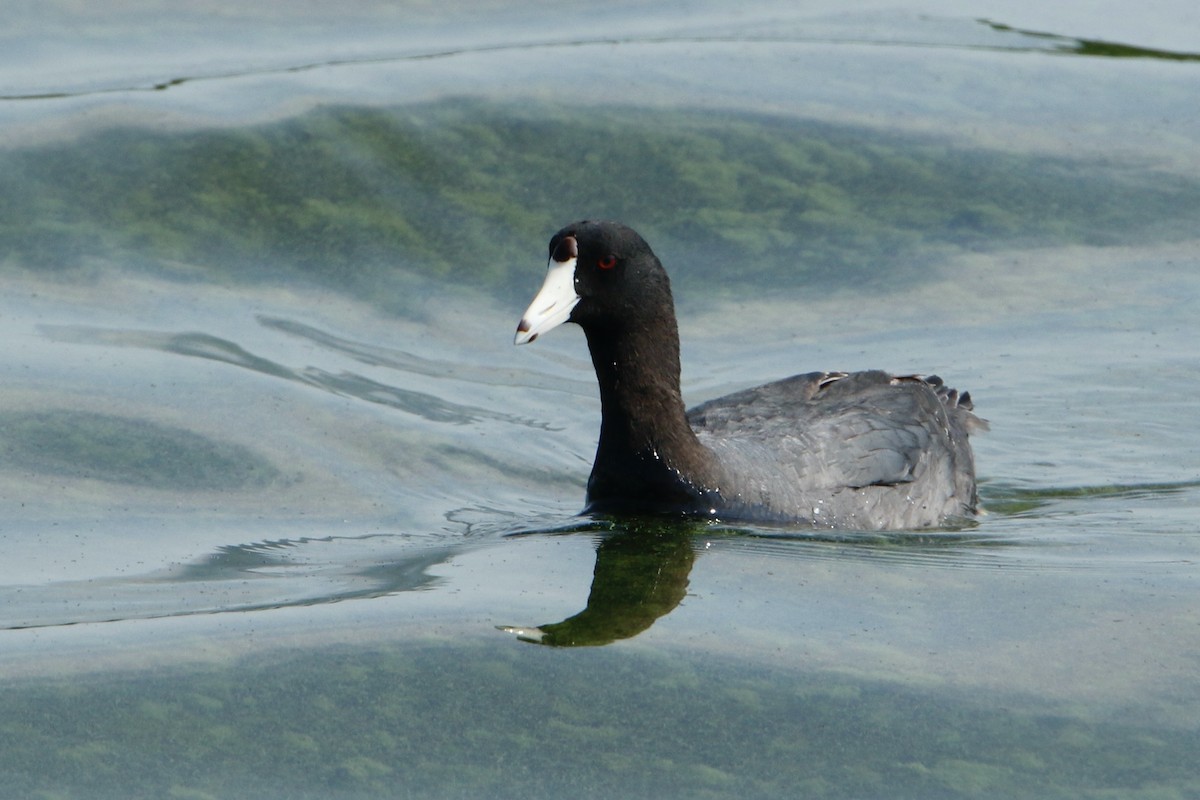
<point x="472" y="720"/>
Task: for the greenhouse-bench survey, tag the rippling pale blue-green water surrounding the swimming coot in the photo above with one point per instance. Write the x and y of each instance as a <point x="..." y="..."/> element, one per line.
<point x="269" y="495"/>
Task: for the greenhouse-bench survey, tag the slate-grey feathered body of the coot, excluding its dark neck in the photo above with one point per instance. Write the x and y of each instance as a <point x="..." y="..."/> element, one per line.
<point x="866" y="450"/>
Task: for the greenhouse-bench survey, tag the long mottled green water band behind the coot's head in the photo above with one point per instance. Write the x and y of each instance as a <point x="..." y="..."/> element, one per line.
<point x="467" y="193"/>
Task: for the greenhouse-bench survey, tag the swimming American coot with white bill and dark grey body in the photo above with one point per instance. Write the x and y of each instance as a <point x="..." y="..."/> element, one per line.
<point x="863" y="450"/>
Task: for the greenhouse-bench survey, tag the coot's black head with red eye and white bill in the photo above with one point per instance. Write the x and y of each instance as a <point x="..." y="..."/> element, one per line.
<point x="602" y="275"/>
